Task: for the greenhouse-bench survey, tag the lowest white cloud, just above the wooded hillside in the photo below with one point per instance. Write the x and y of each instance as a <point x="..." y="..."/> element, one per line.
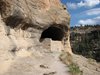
<point x="92" y="21"/>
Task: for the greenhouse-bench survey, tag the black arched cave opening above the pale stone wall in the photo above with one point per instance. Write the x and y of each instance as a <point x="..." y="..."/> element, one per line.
<point x="55" y="33"/>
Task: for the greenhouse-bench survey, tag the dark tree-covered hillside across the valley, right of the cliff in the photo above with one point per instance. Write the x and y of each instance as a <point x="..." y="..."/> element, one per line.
<point x="85" y="40"/>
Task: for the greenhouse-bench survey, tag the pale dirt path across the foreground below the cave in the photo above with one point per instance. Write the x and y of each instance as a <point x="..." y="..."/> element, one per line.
<point x="49" y="64"/>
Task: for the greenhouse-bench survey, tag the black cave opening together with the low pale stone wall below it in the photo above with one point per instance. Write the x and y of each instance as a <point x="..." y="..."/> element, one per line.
<point x="52" y="38"/>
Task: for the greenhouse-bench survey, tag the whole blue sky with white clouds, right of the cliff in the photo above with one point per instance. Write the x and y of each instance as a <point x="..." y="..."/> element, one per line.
<point x="83" y="11"/>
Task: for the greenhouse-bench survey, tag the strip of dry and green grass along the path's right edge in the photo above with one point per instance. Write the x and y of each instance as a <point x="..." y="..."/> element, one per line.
<point x="67" y="59"/>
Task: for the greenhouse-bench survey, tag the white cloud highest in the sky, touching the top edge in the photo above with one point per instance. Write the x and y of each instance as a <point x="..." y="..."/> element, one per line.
<point x="84" y="3"/>
